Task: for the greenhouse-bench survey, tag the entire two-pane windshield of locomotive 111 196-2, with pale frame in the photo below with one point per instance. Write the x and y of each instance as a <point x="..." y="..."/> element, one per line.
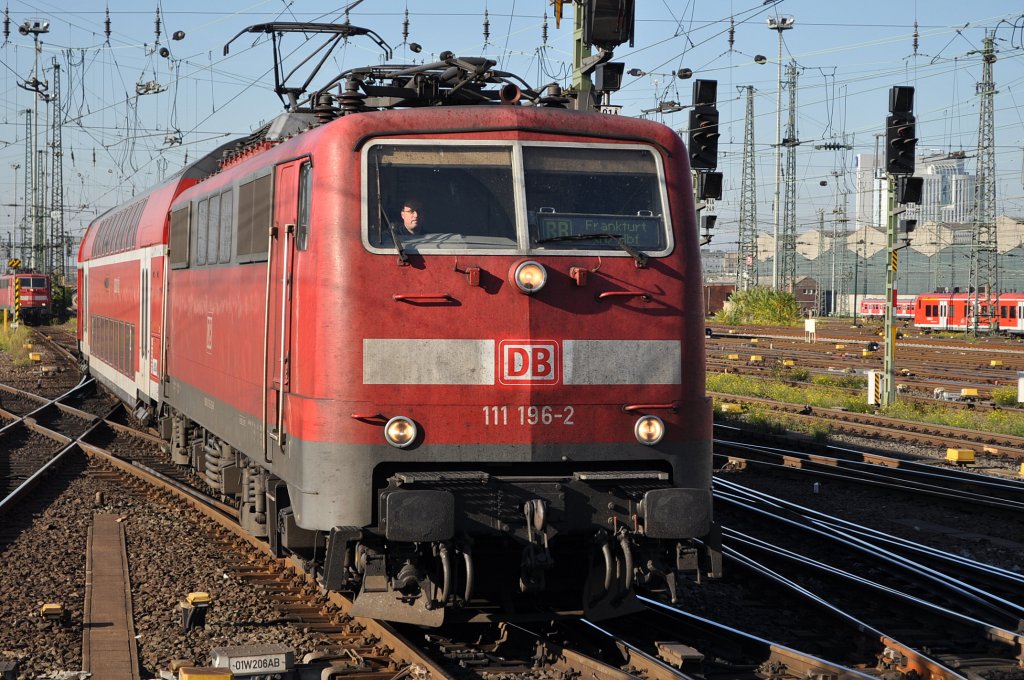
<point x="434" y="197"/>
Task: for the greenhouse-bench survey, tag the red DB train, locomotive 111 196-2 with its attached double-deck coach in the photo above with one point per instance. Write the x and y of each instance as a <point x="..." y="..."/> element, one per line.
<point x="502" y="400"/>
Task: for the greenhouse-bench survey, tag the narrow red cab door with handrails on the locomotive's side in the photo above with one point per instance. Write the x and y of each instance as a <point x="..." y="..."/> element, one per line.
<point x="281" y="265"/>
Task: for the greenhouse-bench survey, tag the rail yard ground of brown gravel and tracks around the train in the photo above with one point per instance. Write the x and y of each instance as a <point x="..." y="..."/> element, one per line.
<point x="864" y="554"/>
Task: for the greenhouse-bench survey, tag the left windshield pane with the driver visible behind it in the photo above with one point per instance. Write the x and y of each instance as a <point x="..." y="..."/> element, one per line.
<point x="463" y="197"/>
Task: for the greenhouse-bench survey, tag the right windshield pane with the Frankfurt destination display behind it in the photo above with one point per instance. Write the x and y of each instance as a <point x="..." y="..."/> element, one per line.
<point x="577" y="196"/>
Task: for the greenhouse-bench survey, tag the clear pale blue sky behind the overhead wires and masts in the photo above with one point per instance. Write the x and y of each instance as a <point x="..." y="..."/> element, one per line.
<point x="133" y="116"/>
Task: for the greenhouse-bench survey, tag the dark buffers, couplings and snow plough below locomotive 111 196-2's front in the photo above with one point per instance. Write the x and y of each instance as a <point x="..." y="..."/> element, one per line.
<point x="584" y="542"/>
